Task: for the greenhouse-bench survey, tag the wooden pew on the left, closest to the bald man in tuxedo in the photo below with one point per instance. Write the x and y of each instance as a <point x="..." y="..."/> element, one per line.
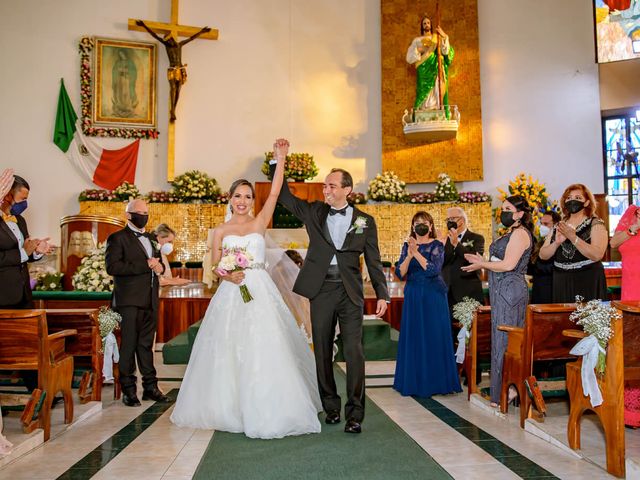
<point x="85" y="347"/>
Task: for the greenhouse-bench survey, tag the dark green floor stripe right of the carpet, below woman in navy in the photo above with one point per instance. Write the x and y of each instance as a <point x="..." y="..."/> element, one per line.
<point x="510" y="458"/>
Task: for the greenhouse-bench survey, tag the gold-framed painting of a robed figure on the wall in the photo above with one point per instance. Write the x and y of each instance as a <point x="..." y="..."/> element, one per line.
<point x="124" y="84"/>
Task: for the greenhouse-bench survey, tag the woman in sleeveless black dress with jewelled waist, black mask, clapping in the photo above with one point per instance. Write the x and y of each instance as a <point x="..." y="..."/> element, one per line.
<point x="577" y="245"/>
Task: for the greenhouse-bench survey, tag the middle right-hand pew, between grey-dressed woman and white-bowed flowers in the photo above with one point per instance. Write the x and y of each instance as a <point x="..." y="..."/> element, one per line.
<point x="540" y="339"/>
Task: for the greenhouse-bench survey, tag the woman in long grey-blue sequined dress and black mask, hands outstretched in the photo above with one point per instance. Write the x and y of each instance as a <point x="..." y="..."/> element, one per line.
<point x="508" y="289"/>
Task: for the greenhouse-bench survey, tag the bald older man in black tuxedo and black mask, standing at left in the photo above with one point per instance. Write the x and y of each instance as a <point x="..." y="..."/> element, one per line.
<point x="133" y="259"/>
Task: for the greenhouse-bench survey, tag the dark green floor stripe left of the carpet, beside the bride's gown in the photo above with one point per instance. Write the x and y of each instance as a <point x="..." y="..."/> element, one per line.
<point x="98" y="458"/>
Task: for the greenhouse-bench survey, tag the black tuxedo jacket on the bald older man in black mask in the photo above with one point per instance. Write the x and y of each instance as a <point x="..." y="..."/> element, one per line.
<point x="135" y="285"/>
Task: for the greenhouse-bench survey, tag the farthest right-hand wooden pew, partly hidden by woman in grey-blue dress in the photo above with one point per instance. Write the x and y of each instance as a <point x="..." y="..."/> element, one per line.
<point x="479" y="347"/>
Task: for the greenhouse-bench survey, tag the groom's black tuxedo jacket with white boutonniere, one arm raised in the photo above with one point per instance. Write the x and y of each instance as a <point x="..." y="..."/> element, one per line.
<point x="321" y="250"/>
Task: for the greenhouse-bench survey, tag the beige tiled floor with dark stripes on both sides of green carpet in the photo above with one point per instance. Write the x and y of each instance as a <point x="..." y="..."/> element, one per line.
<point x="466" y="439"/>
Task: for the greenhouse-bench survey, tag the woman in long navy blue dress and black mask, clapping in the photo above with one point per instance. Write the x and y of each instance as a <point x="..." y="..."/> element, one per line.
<point x="425" y="363"/>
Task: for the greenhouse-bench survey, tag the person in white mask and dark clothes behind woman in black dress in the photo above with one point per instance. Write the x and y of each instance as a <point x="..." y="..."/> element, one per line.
<point x="541" y="271"/>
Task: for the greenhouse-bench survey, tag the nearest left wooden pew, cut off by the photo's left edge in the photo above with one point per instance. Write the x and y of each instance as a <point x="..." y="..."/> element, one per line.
<point x="26" y="344"/>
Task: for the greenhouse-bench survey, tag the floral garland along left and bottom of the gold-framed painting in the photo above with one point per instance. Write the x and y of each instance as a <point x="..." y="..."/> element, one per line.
<point x="85" y="48"/>
